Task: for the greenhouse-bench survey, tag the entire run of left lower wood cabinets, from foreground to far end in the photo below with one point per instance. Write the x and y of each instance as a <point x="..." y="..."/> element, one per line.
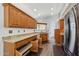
<point x="23" y="47"/>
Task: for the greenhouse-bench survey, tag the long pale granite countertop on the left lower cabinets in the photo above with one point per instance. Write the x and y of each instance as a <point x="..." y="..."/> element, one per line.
<point x="17" y="38"/>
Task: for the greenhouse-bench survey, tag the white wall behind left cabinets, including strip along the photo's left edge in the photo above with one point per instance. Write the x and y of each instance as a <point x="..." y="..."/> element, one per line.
<point x="5" y="31"/>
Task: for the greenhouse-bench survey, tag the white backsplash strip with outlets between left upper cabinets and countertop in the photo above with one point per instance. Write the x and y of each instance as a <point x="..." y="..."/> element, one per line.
<point x="15" y="31"/>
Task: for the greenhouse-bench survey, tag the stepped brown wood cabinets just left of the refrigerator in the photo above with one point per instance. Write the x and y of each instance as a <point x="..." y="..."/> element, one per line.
<point x="58" y="33"/>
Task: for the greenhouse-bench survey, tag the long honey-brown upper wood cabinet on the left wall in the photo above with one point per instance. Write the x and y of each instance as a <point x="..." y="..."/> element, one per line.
<point x="14" y="17"/>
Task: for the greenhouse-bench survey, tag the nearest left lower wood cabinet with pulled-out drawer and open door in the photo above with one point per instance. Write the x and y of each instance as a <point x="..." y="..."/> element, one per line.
<point x="20" y="48"/>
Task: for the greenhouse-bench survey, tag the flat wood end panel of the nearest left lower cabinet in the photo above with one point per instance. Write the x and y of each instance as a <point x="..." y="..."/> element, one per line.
<point x="9" y="49"/>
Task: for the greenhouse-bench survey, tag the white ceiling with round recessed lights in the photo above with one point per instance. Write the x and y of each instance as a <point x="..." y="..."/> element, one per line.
<point x="41" y="10"/>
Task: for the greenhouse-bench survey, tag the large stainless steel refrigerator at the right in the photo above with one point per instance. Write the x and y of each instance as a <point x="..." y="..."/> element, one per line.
<point x="70" y="33"/>
